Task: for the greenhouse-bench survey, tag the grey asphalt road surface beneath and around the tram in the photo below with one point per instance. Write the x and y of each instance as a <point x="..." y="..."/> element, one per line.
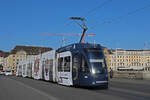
<point x="18" y="88"/>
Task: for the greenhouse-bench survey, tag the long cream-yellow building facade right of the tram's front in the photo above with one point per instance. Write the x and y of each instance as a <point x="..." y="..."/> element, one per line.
<point x="133" y="59"/>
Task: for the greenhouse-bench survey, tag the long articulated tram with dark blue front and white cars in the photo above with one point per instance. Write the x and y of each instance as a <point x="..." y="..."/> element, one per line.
<point x="73" y="65"/>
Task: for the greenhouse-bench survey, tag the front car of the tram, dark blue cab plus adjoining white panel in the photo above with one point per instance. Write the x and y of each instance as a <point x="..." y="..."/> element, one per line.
<point x="82" y="64"/>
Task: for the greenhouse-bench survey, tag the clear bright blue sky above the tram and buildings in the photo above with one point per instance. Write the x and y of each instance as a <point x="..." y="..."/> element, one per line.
<point x="117" y="23"/>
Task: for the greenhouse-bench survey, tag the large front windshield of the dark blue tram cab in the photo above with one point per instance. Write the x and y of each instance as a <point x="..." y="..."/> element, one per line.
<point x="96" y="59"/>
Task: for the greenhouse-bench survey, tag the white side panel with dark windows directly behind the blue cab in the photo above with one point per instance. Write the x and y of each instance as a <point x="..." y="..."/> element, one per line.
<point x="64" y="68"/>
